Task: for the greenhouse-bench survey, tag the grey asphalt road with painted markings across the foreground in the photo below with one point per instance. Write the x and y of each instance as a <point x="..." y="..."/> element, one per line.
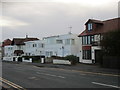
<point x="29" y="76"/>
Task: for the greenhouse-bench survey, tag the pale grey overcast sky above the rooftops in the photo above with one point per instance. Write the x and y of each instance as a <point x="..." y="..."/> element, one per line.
<point x="43" y="18"/>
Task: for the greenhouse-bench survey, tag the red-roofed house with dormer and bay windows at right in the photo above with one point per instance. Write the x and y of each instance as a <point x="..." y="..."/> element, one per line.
<point x="92" y="36"/>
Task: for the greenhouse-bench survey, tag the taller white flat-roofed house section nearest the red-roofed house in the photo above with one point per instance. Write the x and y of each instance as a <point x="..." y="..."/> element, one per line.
<point x="62" y="45"/>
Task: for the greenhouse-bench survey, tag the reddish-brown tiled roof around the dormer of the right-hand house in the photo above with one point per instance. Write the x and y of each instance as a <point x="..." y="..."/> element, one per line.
<point x="107" y="25"/>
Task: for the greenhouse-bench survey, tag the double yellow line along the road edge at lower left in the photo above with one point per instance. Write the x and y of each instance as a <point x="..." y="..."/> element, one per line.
<point x="11" y="84"/>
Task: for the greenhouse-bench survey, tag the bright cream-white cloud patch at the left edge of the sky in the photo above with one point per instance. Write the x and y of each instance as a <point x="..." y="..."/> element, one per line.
<point x="11" y="22"/>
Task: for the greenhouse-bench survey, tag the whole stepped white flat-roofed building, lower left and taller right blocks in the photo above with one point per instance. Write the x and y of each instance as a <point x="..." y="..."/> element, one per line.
<point x="61" y="45"/>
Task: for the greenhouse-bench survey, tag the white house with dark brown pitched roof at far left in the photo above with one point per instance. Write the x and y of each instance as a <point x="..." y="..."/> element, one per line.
<point x="16" y="49"/>
